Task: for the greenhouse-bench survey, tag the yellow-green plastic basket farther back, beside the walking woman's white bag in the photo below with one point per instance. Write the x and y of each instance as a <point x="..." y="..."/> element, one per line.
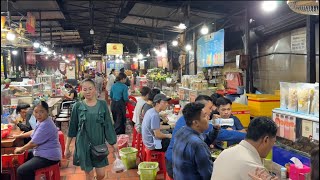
<point x="129" y="157"/>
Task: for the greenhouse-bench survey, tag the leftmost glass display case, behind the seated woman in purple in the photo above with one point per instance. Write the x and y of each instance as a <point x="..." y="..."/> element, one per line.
<point x="21" y="93"/>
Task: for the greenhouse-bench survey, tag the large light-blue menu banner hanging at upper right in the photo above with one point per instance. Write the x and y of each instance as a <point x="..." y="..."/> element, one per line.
<point x="210" y="49"/>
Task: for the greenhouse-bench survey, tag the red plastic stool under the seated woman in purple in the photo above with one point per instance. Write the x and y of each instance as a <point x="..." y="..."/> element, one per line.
<point x="51" y="172"/>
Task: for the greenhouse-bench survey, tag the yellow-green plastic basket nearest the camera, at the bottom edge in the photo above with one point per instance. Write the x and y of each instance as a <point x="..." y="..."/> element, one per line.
<point x="148" y="170"/>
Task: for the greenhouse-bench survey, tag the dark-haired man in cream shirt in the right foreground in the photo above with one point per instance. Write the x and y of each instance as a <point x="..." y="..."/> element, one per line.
<point x="237" y="162"/>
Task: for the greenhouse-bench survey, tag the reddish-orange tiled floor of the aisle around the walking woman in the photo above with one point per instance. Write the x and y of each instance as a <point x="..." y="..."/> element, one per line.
<point x="70" y="172"/>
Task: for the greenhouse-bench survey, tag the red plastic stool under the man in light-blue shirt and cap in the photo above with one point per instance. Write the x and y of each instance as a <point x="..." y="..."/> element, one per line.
<point x="156" y="156"/>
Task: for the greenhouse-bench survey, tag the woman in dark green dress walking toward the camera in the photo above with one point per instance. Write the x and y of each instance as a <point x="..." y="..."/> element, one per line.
<point x="90" y="116"/>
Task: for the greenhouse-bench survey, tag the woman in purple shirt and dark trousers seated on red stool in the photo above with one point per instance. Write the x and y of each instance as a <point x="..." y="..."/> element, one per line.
<point x="46" y="149"/>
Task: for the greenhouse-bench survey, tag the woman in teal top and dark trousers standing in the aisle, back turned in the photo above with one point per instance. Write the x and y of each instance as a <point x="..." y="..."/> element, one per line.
<point x="119" y="97"/>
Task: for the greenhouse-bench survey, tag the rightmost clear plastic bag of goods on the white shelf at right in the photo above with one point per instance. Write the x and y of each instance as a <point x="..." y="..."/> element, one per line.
<point x="305" y="93"/>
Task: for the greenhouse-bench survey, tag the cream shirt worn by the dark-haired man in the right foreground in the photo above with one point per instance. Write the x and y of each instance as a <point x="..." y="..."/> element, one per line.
<point x="237" y="162"/>
